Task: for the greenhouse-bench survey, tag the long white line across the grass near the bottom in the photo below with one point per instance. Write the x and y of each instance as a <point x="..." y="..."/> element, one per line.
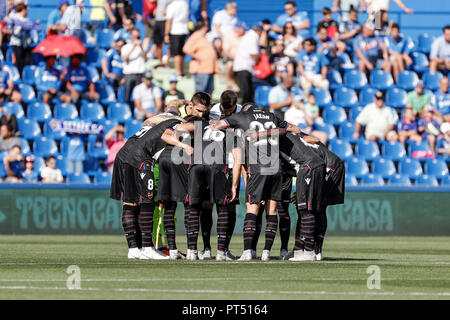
<point x="144" y="290"/>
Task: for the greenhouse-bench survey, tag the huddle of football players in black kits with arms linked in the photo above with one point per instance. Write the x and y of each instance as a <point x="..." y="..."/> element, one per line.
<point x="201" y="151"/>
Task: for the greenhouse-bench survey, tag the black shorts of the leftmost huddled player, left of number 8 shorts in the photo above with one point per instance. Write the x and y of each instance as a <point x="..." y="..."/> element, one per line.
<point x="124" y="184"/>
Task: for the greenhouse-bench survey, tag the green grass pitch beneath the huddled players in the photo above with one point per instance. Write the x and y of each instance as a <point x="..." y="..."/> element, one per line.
<point x="34" y="267"/>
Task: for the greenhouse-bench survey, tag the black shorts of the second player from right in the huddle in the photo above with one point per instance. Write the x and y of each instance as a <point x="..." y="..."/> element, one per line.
<point x="310" y="184"/>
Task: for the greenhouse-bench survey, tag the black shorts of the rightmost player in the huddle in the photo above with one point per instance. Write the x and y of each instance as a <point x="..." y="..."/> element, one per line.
<point x="335" y="185"/>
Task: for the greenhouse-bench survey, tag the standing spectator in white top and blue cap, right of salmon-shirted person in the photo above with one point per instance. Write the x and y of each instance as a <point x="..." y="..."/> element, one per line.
<point x="230" y="47"/>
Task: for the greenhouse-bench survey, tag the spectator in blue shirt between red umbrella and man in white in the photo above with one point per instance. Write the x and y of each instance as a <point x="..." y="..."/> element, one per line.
<point x="112" y="64"/>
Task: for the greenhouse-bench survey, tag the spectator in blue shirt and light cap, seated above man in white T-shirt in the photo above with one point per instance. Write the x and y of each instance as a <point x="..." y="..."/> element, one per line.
<point x="366" y="47"/>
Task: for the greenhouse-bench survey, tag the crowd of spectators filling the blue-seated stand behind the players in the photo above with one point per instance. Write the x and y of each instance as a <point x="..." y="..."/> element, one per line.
<point x="289" y="54"/>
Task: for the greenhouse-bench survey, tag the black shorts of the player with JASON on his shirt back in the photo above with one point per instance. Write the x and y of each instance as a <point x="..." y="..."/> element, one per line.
<point x="263" y="187"/>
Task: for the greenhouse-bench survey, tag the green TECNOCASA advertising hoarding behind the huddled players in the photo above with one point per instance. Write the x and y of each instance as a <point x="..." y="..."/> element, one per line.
<point x="90" y="211"/>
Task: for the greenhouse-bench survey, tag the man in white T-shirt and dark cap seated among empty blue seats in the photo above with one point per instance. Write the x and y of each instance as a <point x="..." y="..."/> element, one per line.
<point x="378" y="119"/>
